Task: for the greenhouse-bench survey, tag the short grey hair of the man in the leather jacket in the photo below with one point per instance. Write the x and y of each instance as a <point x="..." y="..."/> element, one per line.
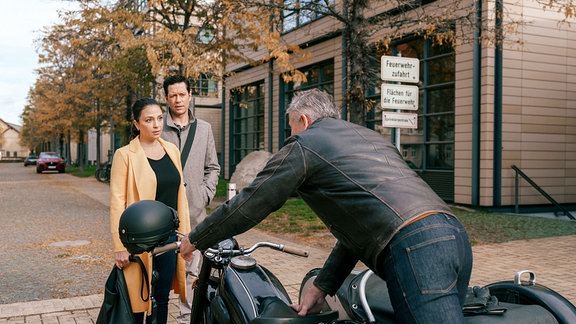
<point x="313" y="103"/>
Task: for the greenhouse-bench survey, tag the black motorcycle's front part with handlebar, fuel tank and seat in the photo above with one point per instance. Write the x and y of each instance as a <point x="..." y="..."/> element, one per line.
<point x="233" y="288"/>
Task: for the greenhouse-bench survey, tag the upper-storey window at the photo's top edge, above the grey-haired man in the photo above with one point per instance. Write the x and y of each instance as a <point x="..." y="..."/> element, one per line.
<point x="301" y="12"/>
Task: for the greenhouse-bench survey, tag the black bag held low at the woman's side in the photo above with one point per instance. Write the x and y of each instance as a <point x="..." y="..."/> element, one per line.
<point x="116" y="306"/>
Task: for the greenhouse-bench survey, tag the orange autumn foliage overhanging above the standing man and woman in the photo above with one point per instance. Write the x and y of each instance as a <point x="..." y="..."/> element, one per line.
<point x="195" y="37"/>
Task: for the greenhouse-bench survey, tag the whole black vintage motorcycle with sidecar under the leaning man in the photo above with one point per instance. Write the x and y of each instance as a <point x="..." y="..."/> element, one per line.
<point x="233" y="288"/>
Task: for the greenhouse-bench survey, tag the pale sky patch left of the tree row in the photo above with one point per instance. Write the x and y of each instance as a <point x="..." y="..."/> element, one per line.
<point x="21" y="22"/>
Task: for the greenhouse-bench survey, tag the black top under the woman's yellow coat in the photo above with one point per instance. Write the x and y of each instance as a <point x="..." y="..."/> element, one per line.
<point x="167" y="179"/>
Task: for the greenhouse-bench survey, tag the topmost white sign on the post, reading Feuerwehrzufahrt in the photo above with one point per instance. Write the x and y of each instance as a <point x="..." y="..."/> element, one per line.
<point x="400" y="69"/>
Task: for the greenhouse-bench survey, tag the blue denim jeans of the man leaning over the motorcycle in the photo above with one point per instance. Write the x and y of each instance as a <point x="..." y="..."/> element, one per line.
<point x="427" y="268"/>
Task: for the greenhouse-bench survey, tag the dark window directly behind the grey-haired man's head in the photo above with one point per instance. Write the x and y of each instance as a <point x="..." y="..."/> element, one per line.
<point x="320" y="75"/>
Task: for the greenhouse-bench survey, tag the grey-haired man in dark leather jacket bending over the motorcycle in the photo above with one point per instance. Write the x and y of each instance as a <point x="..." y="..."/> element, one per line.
<point x="379" y="209"/>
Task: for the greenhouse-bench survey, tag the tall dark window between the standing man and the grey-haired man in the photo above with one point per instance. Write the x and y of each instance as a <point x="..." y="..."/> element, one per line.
<point x="247" y="108"/>
